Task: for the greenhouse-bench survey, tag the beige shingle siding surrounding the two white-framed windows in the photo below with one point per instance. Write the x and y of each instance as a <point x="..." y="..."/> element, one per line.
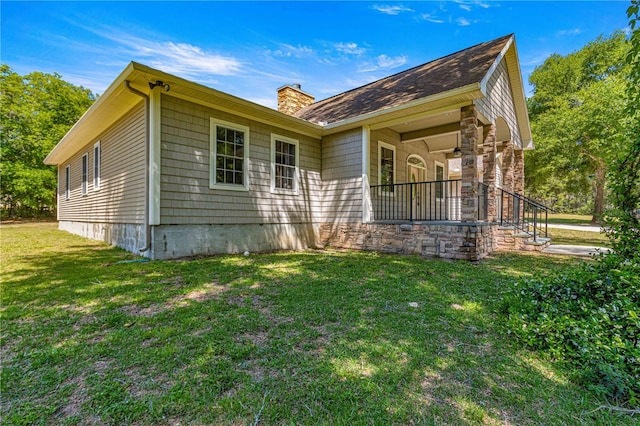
<point x="185" y="195"/>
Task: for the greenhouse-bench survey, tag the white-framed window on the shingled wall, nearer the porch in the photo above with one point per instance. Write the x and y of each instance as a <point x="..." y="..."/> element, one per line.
<point x="284" y="165"/>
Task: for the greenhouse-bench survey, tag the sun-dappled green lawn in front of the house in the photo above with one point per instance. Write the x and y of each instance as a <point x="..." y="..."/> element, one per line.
<point x="291" y="338"/>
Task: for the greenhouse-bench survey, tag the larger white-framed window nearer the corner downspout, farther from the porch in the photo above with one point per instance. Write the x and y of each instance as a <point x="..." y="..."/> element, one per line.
<point x="229" y="148"/>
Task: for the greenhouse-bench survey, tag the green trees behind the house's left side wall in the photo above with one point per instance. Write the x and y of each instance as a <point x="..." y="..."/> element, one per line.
<point x="36" y="111"/>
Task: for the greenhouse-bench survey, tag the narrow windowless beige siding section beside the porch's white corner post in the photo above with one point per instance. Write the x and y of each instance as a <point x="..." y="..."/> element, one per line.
<point x="342" y="176"/>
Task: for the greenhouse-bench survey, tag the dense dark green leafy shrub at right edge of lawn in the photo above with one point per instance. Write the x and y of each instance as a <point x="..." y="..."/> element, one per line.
<point x="589" y="318"/>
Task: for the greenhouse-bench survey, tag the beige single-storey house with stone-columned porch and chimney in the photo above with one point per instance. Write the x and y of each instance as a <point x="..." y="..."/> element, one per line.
<point x="428" y="161"/>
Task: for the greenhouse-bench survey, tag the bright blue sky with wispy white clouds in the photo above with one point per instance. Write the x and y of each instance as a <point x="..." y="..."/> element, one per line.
<point x="249" y="49"/>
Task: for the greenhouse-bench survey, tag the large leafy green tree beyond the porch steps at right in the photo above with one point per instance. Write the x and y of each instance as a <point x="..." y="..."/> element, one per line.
<point x="578" y="121"/>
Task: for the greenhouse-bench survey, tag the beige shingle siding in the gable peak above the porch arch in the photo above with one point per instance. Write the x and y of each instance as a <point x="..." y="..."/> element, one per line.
<point x="499" y="101"/>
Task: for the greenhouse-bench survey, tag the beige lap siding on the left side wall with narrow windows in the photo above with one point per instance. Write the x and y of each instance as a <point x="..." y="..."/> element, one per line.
<point x="120" y="198"/>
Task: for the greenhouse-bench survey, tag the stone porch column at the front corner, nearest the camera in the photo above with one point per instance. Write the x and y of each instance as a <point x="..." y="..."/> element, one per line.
<point x="468" y="146"/>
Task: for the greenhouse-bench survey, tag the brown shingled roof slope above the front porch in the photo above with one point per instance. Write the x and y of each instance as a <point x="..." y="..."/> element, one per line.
<point x="451" y="72"/>
